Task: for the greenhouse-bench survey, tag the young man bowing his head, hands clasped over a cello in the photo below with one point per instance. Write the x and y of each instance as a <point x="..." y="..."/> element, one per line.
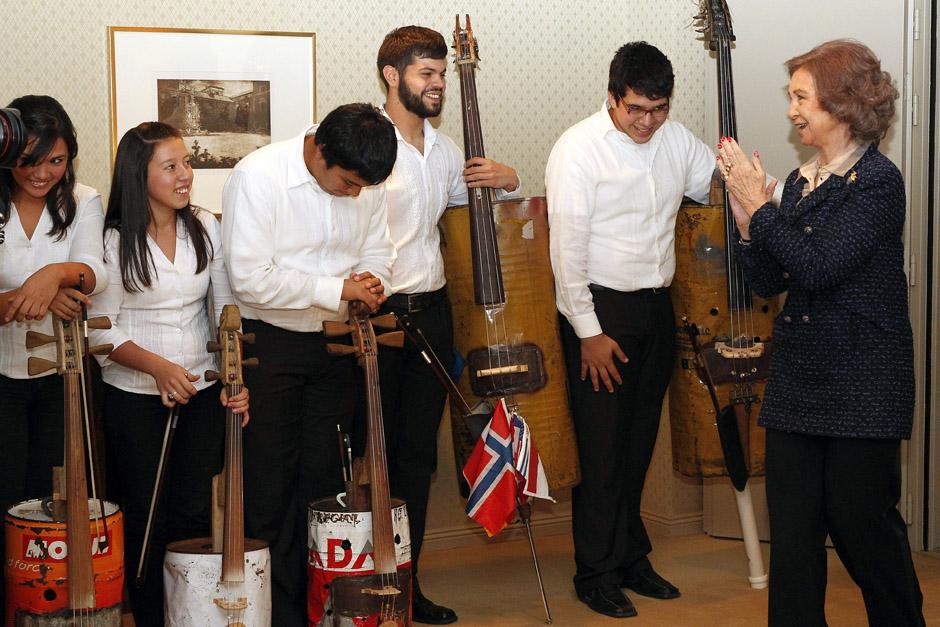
<point x="304" y="232"/>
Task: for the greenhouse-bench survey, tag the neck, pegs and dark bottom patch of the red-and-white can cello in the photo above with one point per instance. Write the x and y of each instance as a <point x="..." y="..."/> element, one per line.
<point x="385" y="595"/>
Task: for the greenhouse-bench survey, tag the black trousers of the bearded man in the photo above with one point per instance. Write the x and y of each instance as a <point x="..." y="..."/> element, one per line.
<point x="412" y="405"/>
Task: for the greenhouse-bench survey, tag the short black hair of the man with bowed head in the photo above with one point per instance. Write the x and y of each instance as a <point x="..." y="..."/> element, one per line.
<point x="359" y="138"/>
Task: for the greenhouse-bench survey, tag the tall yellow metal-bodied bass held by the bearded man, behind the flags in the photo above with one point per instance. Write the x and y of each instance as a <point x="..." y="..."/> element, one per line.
<point x="502" y="294"/>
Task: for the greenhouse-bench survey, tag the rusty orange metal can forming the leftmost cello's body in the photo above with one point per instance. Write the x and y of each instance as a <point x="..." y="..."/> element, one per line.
<point x="36" y="571"/>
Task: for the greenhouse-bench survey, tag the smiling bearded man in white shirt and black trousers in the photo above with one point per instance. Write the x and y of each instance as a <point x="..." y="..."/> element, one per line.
<point x="429" y="176"/>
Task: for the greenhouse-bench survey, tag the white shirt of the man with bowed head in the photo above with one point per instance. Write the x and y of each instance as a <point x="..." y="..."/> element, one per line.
<point x="290" y="245"/>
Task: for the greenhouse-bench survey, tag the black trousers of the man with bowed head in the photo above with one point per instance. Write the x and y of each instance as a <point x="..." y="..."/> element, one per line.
<point x="298" y="395"/>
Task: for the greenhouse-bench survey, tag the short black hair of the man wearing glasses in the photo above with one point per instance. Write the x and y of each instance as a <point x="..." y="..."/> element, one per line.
<point x="642" y="68"/>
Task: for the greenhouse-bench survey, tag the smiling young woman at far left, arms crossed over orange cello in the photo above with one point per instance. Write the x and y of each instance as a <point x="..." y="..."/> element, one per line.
<point x="50" y="235"/>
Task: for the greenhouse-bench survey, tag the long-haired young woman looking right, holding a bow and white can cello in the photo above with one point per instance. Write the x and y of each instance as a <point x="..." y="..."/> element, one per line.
<point x="164" y="258"/>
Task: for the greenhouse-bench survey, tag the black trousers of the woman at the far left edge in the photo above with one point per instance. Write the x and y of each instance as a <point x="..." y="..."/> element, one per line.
<point x="32" y="429"/>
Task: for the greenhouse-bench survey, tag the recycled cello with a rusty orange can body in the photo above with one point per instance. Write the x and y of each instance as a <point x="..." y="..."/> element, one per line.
<point x="88" y="590"/>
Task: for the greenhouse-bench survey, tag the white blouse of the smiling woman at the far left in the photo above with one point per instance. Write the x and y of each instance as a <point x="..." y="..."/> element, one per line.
<point x="20" y="257"/>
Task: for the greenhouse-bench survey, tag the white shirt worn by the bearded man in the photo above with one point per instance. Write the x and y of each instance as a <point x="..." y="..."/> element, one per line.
<point x="419" y="190"/>
